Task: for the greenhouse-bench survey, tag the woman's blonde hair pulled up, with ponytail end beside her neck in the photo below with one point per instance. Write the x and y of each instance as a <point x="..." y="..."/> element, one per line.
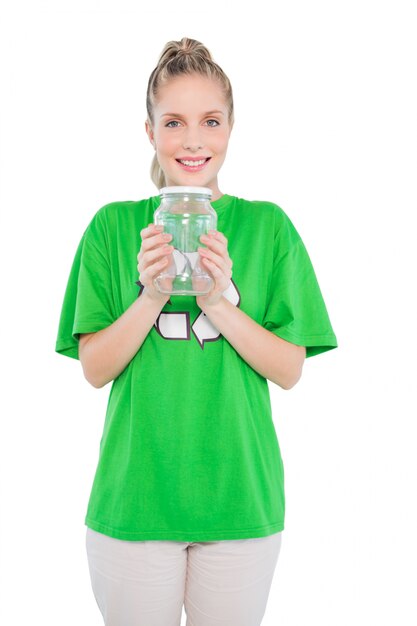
<point x="185" y="57"/>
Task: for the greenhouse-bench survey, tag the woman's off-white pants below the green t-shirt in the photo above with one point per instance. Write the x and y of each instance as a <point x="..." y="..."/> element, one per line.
<point x="146" y="583"/>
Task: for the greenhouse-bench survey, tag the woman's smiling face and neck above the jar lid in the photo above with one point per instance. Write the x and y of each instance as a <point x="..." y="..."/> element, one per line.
<point x="186" y="127"/>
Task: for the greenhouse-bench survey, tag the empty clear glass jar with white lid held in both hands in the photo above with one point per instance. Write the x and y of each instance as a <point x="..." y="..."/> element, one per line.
<point x="185" y="213"/>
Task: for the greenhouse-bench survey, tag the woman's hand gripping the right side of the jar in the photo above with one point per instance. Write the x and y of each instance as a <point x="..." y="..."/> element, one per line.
<point x="216" y="261"/>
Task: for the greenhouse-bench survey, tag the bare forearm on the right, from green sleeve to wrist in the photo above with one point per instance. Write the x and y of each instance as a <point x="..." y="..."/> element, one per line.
<point x="274" y="358"/>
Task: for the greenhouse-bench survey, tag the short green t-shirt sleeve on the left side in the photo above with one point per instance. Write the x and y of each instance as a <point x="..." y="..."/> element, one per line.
<point x="88" y="303"/>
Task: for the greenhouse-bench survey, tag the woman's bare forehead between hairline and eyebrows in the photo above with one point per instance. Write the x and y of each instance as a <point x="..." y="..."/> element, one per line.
<point x="190" y="94"/>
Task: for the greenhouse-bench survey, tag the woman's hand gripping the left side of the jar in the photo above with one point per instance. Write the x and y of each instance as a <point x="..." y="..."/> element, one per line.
<point x="155" y="256"/>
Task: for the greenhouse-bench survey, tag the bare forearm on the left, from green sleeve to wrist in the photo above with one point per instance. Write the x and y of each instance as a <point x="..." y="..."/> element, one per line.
<point x="105" y="353"/>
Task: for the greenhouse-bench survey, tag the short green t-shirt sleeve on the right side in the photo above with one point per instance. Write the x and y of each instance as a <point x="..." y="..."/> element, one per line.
<point x="296" y="310"/>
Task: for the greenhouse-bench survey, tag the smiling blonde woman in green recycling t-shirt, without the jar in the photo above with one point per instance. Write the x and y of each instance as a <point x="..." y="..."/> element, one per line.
<point x="187" y="505"/>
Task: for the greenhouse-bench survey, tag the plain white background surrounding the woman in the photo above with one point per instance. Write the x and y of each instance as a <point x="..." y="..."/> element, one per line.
<point x="325" y="107"/>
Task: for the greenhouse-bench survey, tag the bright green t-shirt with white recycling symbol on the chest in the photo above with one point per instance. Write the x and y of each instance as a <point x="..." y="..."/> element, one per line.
<point x="189" y="450"/>
